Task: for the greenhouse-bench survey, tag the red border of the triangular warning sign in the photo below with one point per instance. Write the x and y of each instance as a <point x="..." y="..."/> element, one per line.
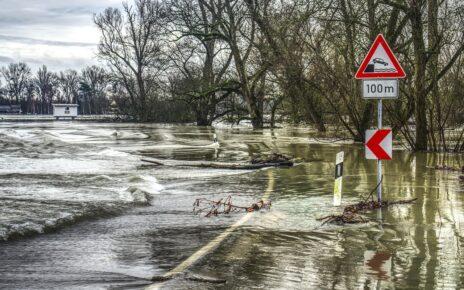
<point x="380" y="40"/>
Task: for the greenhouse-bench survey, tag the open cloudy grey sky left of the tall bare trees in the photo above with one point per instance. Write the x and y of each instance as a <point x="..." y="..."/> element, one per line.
<point x="57" y="33"/>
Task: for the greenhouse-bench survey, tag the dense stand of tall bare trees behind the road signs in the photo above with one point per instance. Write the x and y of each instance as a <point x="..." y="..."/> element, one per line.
<point x="293" y="61"/>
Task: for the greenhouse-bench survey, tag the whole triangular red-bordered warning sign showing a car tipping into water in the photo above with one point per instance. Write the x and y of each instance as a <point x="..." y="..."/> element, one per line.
<point x="380" y="62"/>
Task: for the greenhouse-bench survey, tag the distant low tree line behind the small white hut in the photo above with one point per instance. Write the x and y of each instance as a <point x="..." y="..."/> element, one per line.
<point x="35" y="93"/>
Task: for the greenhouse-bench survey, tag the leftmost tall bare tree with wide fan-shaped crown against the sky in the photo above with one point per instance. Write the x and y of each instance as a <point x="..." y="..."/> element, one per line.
<point x="130" y="43"/>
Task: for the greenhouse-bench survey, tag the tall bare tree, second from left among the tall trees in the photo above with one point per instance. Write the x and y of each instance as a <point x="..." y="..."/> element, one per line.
<point x="202" y="58"/>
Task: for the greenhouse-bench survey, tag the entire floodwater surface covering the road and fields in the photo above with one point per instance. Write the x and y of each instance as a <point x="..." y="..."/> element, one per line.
<point x="79" y="209"/>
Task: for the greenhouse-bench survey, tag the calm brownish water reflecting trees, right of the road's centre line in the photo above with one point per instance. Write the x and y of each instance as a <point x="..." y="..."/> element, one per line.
<point x="408" y="247"/>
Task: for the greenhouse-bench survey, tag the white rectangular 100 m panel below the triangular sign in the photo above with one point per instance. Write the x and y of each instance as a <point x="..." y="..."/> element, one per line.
<point x="380" y="89"/>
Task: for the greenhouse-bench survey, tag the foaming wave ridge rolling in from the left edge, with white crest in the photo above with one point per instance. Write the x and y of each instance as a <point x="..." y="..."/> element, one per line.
<point x="28" y="217"/>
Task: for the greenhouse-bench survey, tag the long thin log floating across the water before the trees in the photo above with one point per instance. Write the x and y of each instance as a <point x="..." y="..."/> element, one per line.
<point x="217" y="165"/>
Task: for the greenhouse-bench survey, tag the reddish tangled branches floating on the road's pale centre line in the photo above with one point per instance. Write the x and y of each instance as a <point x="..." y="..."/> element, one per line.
<point x="225" y="206"/>
